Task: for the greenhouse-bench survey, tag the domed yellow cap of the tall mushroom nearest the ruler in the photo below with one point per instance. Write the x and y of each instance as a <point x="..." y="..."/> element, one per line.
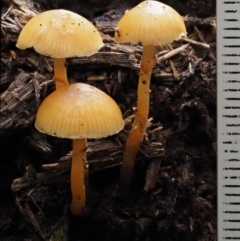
<point x="150" y="22"/>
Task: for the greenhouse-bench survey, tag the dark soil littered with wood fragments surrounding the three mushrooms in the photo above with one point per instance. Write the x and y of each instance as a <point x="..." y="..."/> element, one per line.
<point x="173" y="193"/>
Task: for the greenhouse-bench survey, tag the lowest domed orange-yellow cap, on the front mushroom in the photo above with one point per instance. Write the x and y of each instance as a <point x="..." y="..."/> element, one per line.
<point x="79" y="111"/>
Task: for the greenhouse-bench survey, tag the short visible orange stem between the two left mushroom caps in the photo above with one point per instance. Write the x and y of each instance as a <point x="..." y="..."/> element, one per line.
<point x="60" y="72"/>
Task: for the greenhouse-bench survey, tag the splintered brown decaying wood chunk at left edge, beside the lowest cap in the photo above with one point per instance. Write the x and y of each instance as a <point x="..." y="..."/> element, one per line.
<point x="20" y="100"/>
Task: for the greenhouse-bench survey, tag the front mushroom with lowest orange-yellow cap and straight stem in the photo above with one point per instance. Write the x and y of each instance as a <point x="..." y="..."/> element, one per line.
<point x="79" y="111"/>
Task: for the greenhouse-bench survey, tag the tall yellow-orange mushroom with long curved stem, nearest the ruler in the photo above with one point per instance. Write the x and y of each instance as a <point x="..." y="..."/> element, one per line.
<point x="149" y="23"/>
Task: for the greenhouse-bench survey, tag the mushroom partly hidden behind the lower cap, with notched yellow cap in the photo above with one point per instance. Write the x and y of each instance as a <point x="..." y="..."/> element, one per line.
<point x="60" y="34"/>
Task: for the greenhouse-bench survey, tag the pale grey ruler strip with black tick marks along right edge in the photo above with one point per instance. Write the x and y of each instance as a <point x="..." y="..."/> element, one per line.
<point x="228" y="116"/>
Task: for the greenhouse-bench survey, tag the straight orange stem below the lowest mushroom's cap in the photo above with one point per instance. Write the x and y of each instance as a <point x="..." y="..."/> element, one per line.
<point x="77" y="176"/>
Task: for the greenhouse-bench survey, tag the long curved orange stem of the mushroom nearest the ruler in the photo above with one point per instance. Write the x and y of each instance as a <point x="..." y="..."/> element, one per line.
<point x="141" y="117"/>
